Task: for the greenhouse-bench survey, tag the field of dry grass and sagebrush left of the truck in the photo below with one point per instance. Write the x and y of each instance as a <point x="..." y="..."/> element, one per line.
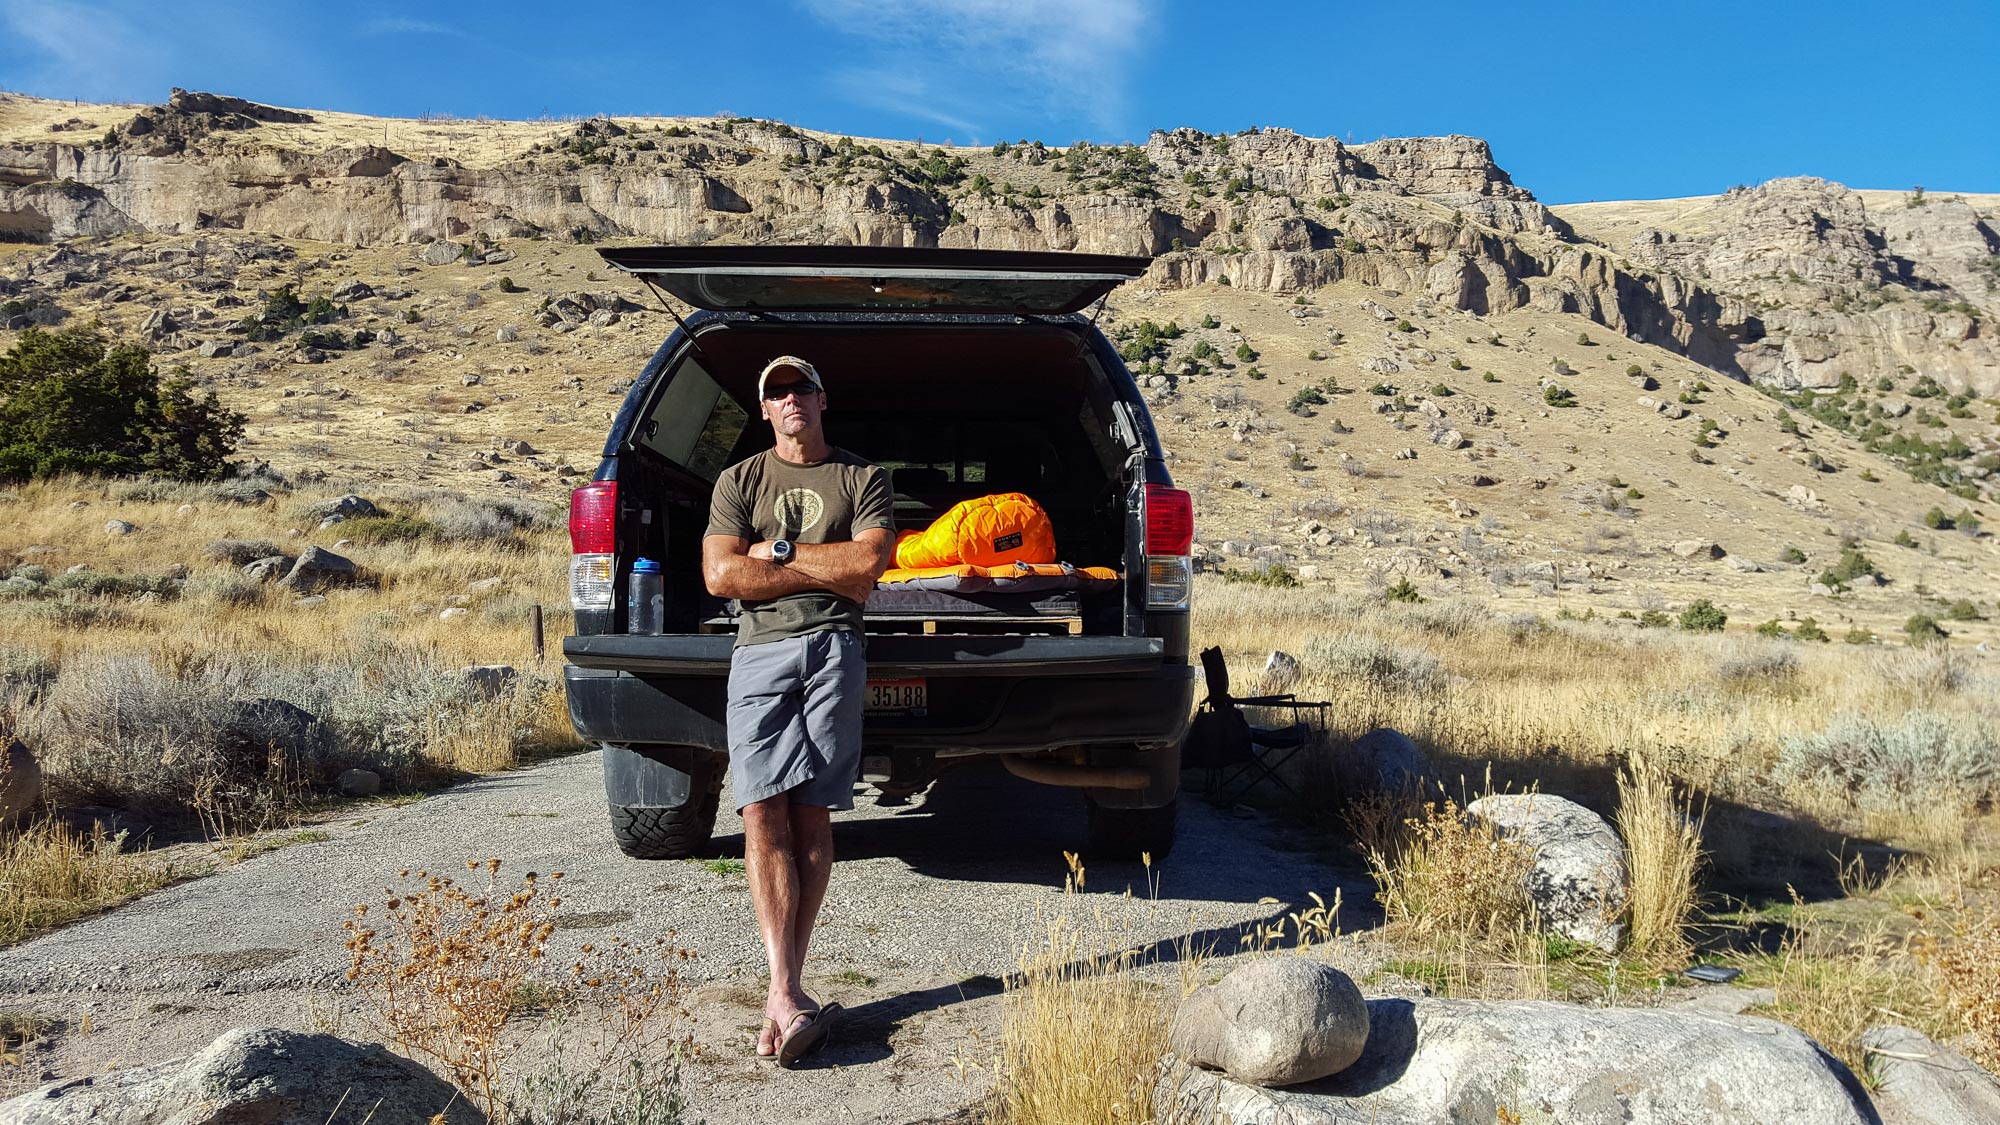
<point x="137" y="682"/>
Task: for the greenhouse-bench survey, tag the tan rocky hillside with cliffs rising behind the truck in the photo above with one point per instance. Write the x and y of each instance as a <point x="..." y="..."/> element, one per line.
<point x="485" y="345"/>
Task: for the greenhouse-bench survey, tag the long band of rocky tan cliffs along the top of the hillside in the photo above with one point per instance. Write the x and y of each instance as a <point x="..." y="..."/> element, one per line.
<point x="1791" y="283"/>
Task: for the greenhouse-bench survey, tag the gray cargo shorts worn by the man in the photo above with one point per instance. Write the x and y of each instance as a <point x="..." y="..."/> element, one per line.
<point x="795" y="720"/>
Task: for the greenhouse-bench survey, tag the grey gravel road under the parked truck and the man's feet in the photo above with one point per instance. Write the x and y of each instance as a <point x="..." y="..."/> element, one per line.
<point x="929" y="908"/>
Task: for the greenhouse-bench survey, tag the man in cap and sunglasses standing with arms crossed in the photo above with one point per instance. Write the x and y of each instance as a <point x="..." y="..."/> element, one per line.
<point x="799" y="535"/>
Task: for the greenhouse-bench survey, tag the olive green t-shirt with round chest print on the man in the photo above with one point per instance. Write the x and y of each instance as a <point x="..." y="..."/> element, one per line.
<point x="827" y="501"/>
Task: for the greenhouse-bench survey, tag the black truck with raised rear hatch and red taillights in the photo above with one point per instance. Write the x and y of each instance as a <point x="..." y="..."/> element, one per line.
<point x="963" y="373"/>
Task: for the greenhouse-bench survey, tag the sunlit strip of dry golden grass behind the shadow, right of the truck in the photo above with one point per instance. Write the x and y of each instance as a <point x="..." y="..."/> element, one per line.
<point x="1569" y="704"/>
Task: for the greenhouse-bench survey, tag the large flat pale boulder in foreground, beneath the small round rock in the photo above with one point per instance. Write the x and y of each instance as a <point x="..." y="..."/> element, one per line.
<point x="1445" y="1060"/>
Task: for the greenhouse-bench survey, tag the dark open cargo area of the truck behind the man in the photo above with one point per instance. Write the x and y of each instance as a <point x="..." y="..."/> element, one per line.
<point x="953" y="409"/>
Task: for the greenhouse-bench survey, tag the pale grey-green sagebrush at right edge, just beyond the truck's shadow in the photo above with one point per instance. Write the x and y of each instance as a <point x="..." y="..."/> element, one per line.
<point x="1905" y="764"/>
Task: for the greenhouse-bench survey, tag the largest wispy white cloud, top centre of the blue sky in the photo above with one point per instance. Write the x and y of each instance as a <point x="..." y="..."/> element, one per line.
<point x="953" y="63"/>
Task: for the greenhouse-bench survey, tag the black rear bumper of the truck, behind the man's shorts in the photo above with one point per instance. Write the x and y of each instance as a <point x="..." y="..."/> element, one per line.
<point x="975" y="710"/>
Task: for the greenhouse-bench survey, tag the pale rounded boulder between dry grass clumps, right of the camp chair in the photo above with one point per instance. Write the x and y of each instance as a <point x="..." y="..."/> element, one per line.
<point x="1579" y="878"/>
